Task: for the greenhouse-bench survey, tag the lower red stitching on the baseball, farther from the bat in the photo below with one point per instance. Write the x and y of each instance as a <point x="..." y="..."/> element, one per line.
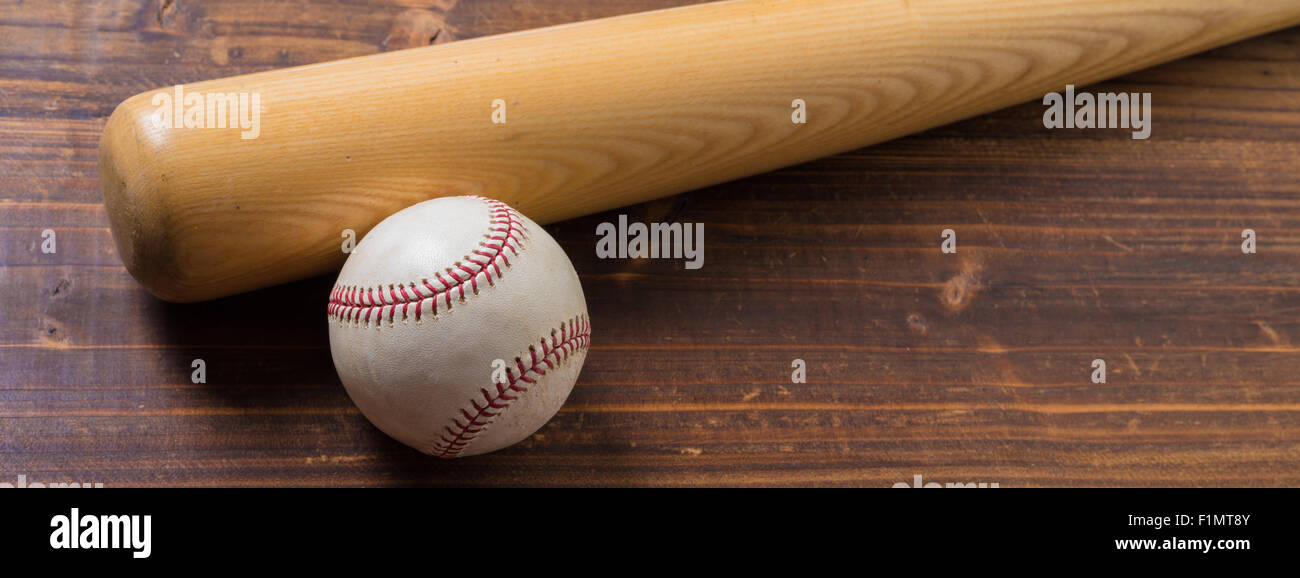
<point x="573" y="337"/>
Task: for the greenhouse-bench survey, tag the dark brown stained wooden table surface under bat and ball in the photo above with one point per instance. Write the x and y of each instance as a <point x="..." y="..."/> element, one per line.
<point x="976" y="367"/>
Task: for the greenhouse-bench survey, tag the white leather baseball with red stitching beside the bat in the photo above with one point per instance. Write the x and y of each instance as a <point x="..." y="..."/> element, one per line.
<point x="426" y="305"/>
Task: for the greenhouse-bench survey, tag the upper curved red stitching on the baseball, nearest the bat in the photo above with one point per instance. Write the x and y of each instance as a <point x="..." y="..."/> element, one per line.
<point x="506" y="231"/>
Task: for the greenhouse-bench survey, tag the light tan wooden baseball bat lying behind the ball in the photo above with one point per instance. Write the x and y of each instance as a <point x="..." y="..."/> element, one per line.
<point x="597" y="115"/>
